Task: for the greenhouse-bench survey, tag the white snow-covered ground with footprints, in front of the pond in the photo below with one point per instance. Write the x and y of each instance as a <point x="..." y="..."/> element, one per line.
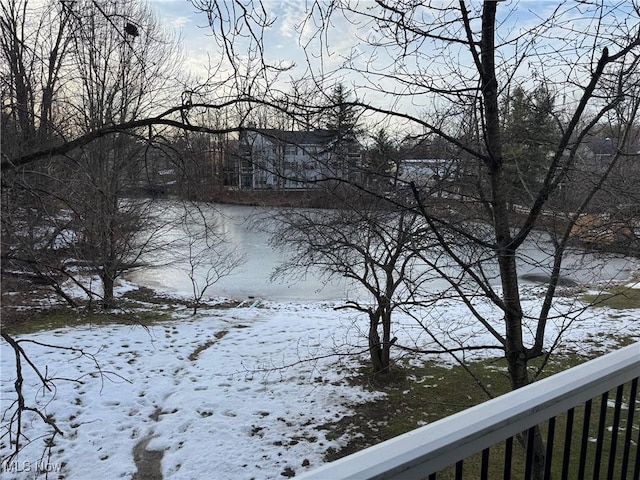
<point x="230" y="393"/>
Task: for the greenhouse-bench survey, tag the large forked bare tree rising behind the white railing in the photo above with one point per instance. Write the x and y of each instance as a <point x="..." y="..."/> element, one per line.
<point x="442" y="69"/>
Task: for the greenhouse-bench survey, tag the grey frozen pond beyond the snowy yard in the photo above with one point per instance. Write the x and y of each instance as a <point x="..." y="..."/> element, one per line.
<point x="252" y="278"/>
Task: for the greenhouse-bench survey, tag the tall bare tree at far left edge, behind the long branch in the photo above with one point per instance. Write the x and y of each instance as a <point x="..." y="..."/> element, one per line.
<point x="35" y="45"/>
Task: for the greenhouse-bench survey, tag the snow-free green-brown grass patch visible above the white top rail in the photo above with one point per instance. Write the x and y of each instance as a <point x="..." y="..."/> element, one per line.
<point x="417" y="395"/>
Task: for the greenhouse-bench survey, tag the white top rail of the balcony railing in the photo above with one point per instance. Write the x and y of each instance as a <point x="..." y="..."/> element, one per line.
<point x="440" y="444"/>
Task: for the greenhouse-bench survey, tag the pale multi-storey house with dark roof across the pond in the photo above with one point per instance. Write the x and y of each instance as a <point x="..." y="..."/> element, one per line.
<point x="296" y="159"/>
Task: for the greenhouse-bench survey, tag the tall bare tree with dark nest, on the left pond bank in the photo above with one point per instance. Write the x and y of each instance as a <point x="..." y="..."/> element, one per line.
<point x="124" y="75"/>
